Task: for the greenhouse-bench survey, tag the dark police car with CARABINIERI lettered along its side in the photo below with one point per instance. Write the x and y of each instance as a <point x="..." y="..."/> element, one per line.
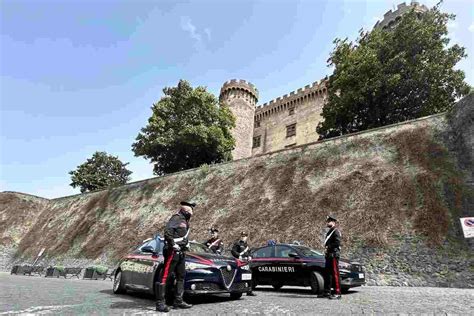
<point x="288" y="264"/>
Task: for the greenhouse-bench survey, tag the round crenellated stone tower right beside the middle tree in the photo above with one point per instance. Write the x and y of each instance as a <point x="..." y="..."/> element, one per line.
<point x="241" y="97"/>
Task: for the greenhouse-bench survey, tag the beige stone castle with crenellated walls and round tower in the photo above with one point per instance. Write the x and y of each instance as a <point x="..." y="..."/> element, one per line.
<point x="288" y="120"/>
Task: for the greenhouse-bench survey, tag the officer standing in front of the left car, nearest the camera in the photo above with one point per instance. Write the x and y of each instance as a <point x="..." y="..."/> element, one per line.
<point x="176" y="244"/>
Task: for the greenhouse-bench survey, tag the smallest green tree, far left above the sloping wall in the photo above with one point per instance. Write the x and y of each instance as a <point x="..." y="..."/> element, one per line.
<point x="100" y="172"/>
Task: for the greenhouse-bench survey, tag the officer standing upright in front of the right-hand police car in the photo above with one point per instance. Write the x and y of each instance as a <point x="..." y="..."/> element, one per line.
<point x="332" y="245"/>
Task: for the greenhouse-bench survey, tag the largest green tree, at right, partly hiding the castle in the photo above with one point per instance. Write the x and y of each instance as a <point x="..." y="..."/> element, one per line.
<point x="394" y="75"/>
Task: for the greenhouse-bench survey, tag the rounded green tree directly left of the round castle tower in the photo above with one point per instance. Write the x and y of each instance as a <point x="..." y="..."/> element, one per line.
<point x="187" y="128"/>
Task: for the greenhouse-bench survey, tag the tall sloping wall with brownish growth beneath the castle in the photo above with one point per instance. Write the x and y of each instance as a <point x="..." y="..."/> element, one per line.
<point x="398" y="192"/>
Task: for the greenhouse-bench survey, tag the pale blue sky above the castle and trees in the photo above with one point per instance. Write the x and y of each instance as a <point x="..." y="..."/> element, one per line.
<point x="81" y="76"/>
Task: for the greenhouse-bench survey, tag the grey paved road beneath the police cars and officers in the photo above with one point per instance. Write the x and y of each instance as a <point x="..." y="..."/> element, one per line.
<point x="39" y="295"/>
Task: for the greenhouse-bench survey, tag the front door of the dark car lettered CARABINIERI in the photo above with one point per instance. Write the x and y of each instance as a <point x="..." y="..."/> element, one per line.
<point x="287" y="268"/>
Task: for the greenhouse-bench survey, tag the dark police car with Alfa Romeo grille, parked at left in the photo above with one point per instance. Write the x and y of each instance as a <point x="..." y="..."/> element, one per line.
<point x="206" y="272"/>
